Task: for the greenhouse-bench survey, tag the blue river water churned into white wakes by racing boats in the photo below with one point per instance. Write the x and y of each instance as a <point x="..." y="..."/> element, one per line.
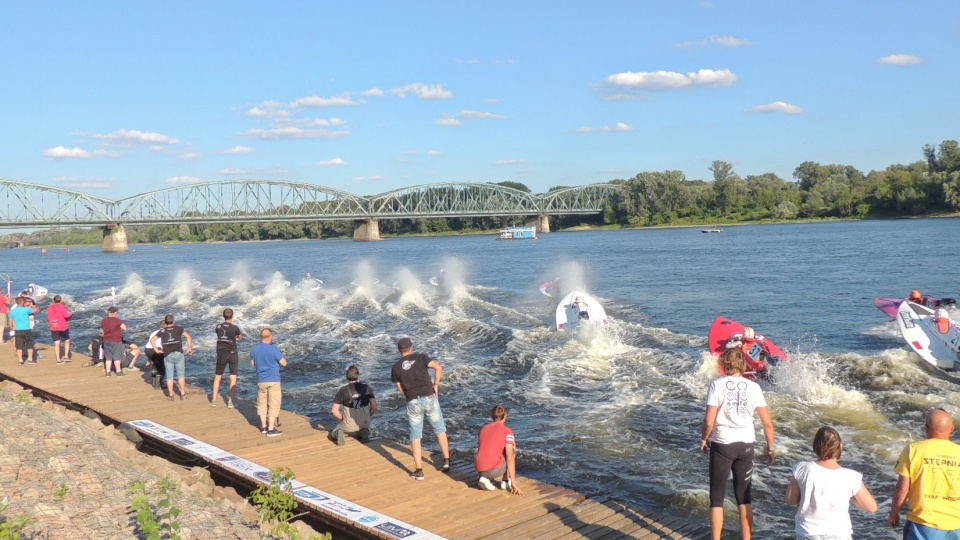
<point x="612" y="413"/>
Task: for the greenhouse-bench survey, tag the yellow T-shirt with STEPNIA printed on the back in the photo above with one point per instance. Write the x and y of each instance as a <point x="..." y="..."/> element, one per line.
<point x="933" y="467"/>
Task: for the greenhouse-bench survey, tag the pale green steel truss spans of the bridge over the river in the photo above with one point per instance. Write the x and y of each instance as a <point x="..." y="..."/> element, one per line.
<point x="26" y="205"/>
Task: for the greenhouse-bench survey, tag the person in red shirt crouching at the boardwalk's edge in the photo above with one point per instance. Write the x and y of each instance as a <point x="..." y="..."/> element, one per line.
<point x="496" y="454"/>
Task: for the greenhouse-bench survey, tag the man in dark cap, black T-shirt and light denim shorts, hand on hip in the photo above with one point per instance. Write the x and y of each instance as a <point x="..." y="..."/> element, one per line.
<point x="412" y="377"/>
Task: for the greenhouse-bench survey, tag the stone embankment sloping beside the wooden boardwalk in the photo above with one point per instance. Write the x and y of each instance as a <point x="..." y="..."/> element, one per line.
<point x="71" y="475"/>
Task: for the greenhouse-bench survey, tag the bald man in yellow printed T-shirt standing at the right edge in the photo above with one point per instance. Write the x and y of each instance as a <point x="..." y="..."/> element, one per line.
<point x="930" y="478"/>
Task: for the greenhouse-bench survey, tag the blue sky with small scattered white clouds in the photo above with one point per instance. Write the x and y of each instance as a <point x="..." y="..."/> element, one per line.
<point x="120" y="98"/>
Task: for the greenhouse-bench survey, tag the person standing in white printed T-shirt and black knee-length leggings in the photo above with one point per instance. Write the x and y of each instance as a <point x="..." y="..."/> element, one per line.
<point x="728" y="432"/>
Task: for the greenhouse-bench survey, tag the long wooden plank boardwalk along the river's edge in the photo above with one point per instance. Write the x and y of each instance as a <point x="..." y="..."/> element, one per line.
<point x="373" y="475"/>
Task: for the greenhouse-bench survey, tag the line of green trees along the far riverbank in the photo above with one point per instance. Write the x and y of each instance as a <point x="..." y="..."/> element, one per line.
<point x="816" y="191"/>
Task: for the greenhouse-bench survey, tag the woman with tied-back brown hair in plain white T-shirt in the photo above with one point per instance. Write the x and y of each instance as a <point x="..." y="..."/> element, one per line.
<point x="824" y="490"/>
